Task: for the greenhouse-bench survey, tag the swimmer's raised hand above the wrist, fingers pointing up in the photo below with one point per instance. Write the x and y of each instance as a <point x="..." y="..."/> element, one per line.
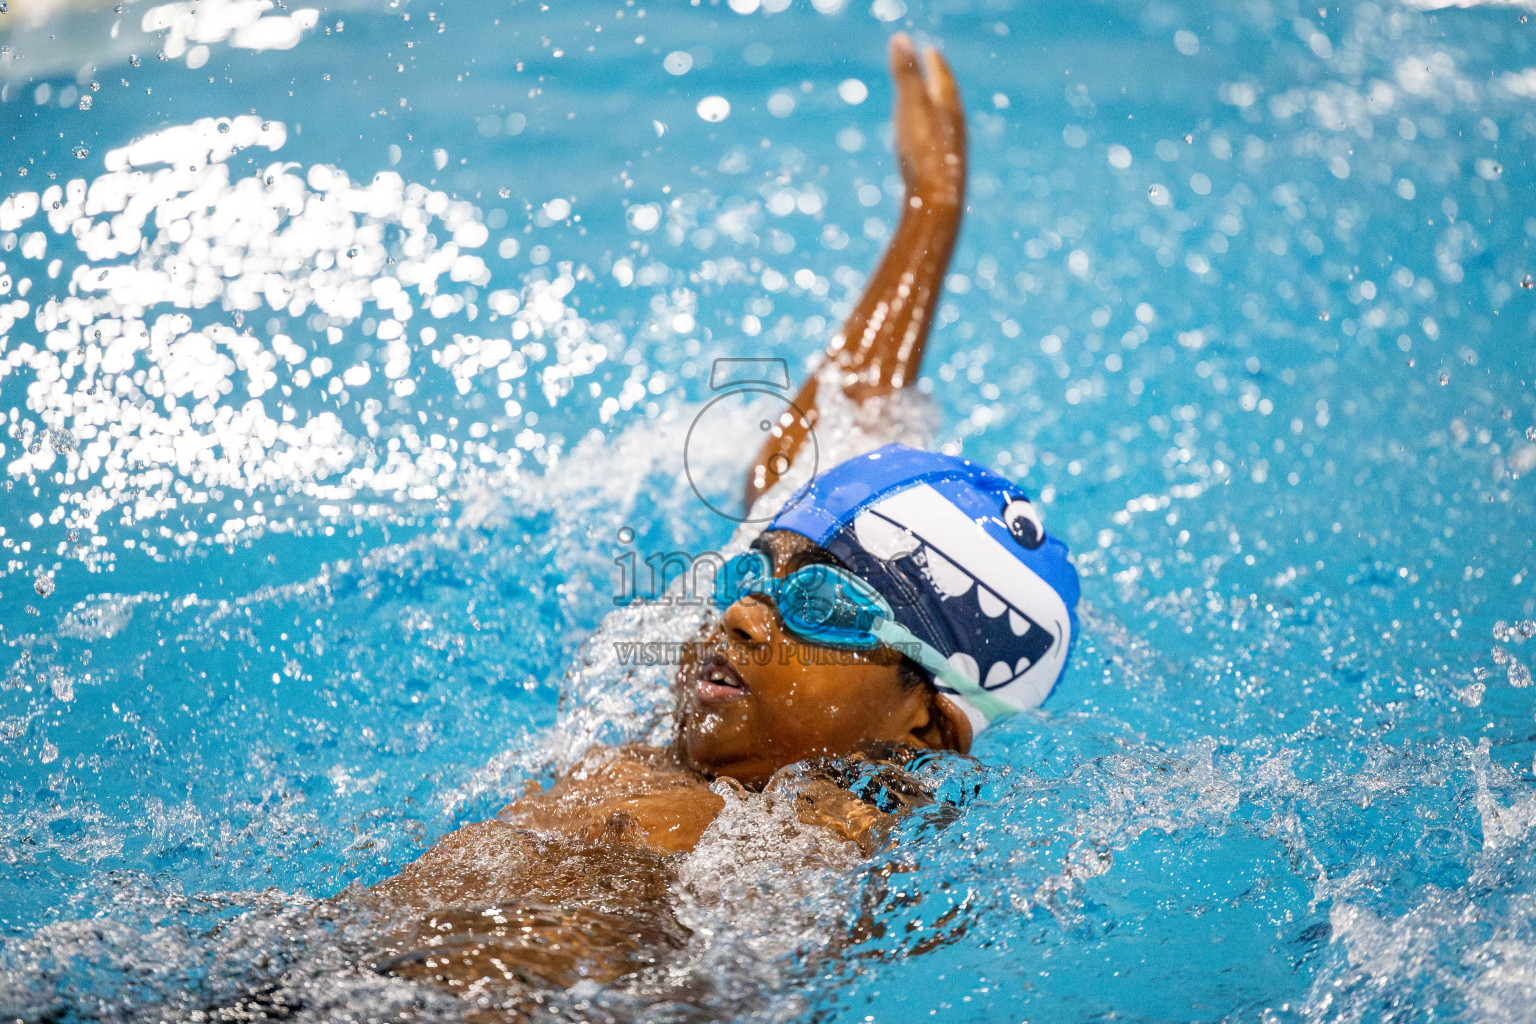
<point x="930" y="125"/>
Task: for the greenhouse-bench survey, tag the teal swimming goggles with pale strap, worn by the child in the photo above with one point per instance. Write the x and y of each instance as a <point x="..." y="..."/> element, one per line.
<point x="830" y="606"/>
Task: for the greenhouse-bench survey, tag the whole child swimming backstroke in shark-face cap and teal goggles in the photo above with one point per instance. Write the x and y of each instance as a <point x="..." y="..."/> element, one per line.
<point x="930" y="576"/>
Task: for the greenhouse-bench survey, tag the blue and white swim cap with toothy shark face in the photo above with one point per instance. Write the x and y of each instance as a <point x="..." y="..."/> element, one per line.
<point x="964" y="560"/>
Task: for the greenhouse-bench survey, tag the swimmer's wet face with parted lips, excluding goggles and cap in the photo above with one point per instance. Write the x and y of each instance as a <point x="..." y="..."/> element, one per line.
<point x="767" y="699"/>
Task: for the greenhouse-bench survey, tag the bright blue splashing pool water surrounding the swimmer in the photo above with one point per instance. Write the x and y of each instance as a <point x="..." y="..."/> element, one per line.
<point x="339" y="345"/>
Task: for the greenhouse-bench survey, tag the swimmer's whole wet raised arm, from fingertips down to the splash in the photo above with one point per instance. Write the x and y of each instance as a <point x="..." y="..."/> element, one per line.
<point x="881" y="345"/>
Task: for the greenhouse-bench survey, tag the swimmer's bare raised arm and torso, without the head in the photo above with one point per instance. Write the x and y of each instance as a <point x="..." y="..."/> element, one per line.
<point x="572" y="882"/>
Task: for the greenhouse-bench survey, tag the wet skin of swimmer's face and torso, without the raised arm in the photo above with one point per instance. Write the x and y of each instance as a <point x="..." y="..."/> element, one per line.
<point x="572" y="882"/>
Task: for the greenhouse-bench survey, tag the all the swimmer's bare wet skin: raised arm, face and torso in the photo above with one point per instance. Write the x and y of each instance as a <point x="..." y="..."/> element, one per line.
<point x="574" y="882"/>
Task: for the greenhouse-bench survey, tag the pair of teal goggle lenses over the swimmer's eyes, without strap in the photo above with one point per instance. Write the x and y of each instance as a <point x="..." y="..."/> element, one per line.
<point x="823" y="604"/>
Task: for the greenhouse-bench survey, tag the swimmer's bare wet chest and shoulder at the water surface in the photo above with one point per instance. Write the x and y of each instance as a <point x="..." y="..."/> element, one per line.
<point x="574" y="882"/>
